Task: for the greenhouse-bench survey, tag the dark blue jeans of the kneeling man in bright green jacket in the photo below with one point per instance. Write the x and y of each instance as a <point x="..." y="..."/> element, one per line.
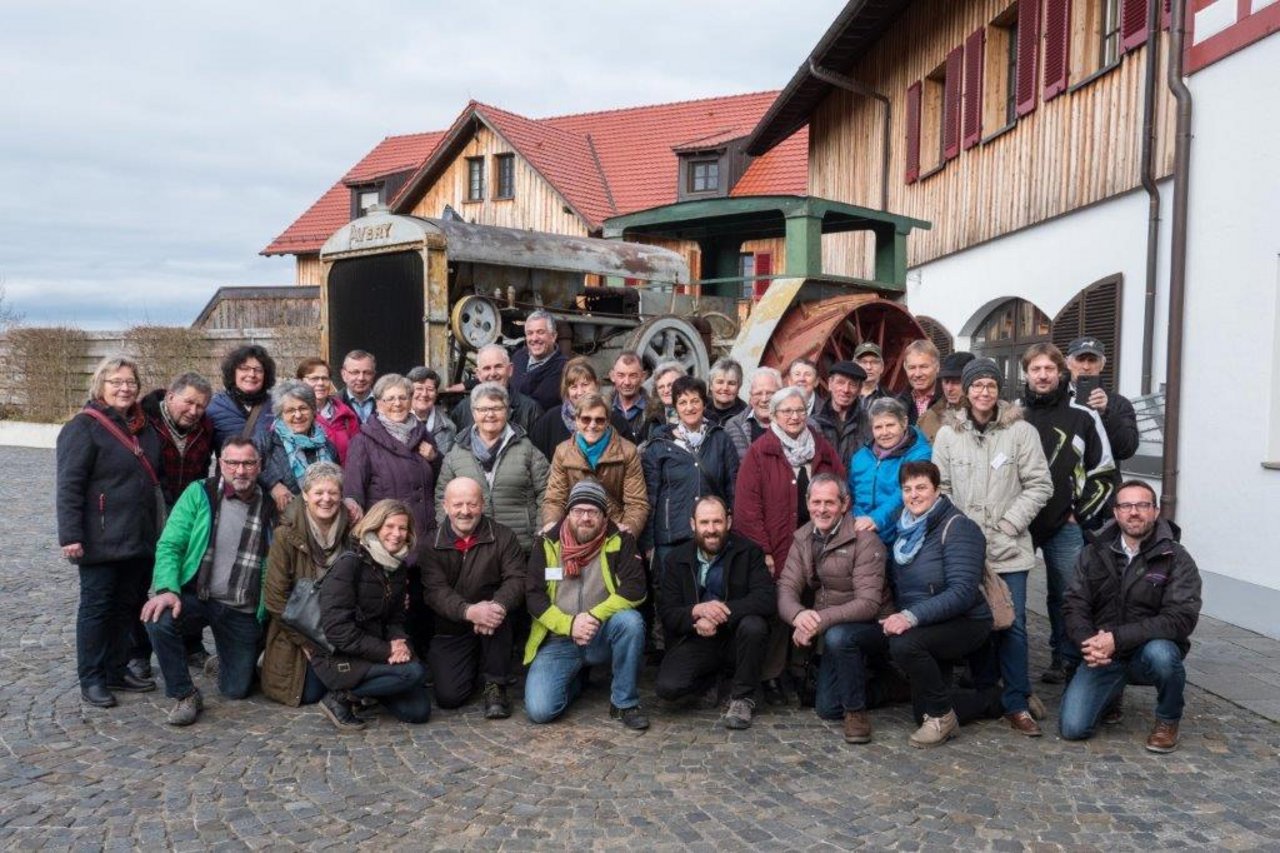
<point x="236" y="638"/>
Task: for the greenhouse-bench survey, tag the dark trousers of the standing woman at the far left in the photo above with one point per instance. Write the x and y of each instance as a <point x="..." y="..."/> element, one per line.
<point x="112" y="599"/>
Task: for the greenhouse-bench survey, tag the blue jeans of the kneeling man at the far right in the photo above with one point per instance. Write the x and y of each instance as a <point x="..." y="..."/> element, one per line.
<point x="1159" y="663"/>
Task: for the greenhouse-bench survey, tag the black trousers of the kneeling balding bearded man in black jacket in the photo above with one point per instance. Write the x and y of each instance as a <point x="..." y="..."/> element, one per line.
<point x="692" y="664"/>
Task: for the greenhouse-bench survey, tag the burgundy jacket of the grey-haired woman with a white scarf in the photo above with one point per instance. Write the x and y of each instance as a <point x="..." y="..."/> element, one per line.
<point x="765" y="499"/>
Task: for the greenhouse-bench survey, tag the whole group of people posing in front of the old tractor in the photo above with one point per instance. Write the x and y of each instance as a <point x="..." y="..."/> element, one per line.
<point x="817" y="537"/>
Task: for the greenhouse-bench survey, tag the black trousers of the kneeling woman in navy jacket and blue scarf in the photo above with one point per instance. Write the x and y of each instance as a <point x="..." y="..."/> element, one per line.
<point x="927" y="653"/>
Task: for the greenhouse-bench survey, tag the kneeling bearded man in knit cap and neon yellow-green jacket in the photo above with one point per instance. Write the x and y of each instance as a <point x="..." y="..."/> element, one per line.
<point x="586" y="581"/>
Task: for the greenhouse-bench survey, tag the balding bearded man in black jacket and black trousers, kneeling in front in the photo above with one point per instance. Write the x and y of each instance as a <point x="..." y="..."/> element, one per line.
<point x="717" y="597"/>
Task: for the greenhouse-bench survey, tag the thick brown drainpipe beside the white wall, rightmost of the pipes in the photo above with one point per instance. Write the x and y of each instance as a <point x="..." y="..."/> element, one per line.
<point x="1177" y="261"/>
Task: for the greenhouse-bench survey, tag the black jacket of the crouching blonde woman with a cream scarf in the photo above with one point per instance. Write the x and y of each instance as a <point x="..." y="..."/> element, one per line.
<point x="362" y="613"/>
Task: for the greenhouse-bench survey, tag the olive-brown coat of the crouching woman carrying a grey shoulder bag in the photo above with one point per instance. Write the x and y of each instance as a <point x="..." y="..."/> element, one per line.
<point x="285" y="664"/>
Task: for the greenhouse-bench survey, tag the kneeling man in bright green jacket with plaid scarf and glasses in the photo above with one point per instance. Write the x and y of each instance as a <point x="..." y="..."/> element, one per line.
<point x="209" y="572"/>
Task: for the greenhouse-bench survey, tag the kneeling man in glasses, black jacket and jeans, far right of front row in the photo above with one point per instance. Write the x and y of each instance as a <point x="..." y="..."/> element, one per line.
<point x="1131" y="610"/>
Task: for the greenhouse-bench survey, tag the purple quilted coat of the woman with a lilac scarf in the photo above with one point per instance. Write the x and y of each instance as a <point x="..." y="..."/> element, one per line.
<point x="381" y="467"/>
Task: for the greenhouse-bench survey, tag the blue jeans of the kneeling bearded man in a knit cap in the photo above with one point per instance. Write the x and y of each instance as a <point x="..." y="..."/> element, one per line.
<point x="552" y="683"/>
